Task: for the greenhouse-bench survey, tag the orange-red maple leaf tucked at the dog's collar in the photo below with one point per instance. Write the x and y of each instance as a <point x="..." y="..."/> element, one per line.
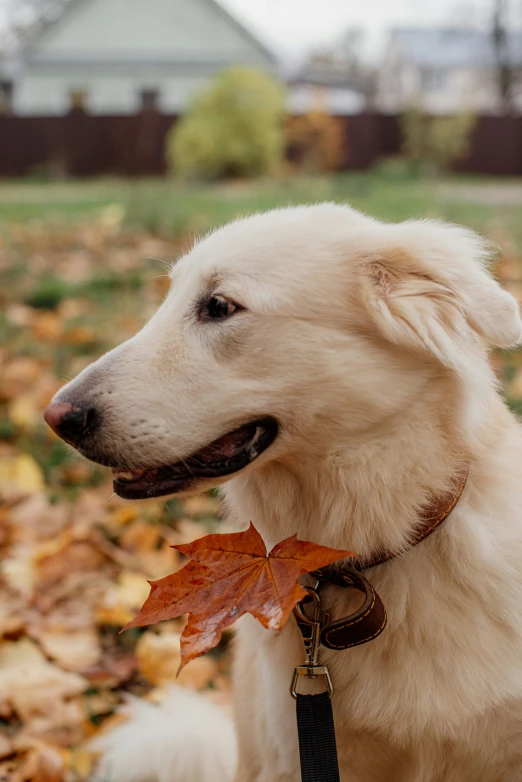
<point x="231" y="575"/>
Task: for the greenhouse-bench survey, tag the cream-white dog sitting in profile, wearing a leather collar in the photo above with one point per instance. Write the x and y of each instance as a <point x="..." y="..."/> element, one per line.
<point x="336" y="369"/>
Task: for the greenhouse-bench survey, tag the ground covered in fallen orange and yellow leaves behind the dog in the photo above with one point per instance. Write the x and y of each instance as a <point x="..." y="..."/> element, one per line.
<point x="74" y="559"/>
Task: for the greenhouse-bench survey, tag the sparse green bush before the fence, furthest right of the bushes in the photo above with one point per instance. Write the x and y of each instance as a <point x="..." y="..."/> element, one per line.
<point x="432" y="143"/>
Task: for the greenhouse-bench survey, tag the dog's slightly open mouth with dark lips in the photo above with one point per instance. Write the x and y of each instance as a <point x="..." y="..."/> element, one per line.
<point x="225" y="456"/>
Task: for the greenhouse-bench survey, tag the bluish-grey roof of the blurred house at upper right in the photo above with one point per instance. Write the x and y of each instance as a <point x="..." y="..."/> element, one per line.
<point x="448" y="47"/>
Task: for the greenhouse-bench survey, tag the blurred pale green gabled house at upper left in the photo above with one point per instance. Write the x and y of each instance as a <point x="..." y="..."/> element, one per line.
<point x="119" y="56"/>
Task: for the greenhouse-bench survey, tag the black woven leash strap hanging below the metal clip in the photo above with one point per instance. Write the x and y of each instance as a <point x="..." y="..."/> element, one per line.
<point x="317" y="747"/>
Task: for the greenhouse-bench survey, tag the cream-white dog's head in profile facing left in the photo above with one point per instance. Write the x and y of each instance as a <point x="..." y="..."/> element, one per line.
<point x="285" y="332"/>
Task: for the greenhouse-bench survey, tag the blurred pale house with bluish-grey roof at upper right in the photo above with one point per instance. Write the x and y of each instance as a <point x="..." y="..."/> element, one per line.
<point x="446" y="70"/>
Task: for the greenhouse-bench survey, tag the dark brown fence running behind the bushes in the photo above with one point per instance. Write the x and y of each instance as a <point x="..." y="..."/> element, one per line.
<point x="83" y="145"/>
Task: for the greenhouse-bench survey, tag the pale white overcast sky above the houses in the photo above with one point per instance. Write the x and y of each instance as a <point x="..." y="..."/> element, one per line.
<point x="294" y="27"/>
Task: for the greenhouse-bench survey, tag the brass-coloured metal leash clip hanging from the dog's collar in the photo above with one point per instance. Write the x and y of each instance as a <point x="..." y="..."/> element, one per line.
<point x="311" y="631"/>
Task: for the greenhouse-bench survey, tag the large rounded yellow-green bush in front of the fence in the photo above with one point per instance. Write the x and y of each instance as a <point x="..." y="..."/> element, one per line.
<point x="233" y="128"/>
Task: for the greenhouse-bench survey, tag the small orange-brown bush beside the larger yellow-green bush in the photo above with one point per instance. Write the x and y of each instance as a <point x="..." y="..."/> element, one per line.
<point x="316" y="141"/>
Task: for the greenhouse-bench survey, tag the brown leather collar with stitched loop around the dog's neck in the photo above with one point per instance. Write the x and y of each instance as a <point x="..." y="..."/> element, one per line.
<point x="369" y="620"/>
